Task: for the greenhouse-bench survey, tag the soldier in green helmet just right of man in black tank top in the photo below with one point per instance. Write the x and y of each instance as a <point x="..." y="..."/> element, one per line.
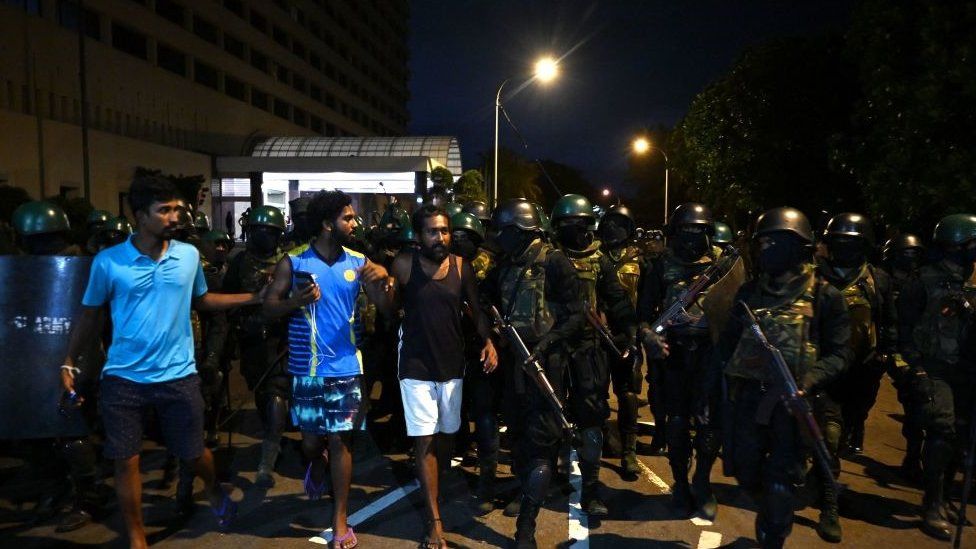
<point x="481" y="390"/>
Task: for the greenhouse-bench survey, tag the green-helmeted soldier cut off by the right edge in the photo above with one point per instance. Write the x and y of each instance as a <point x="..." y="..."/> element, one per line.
<point x="934" y="321"/>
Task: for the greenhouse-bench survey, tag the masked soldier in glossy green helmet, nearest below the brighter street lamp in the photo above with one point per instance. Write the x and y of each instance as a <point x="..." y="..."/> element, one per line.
<point x="574" y="222"/>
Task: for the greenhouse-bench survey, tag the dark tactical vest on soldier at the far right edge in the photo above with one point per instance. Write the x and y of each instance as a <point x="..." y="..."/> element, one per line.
<point x="944" y="321"/>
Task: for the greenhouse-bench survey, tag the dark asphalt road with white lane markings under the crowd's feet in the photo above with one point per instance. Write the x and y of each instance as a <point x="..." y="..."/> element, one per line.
<point x="878" y="508"/>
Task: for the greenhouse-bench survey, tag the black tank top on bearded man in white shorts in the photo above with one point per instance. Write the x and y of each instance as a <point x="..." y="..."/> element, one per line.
<point x="431" y="339"/>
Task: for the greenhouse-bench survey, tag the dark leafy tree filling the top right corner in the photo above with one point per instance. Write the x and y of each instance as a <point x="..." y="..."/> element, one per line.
<point x="912" y="147"/>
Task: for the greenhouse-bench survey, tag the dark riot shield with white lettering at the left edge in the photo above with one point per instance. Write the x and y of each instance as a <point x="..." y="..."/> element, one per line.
<point x="39" y="299"/>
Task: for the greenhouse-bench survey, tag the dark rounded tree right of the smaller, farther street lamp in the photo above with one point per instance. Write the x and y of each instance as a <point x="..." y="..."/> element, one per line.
<point x="760" y="137"/>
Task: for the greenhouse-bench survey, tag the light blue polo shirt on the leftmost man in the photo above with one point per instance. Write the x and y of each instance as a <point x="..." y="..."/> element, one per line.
<point x="152" y="340"/>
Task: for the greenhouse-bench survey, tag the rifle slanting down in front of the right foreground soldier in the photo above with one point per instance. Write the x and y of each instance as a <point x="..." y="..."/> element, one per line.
<point x="785" y="390"/>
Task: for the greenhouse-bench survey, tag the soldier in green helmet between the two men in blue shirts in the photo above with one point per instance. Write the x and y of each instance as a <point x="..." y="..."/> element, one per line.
<point x="261" y="341"/>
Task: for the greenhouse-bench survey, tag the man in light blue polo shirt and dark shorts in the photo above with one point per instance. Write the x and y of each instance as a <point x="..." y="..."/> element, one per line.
<point x="149" y="283"/>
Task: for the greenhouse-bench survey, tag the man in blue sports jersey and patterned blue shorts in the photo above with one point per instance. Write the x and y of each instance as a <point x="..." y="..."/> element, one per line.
<point x="327" y="368"/>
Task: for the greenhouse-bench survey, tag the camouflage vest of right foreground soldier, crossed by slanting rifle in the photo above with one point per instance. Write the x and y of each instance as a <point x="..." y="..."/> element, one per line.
<point x="787" y="327"/>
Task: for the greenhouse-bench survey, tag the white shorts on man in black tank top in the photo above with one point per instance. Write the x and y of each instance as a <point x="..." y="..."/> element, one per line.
<point x="431" y="407"/>
